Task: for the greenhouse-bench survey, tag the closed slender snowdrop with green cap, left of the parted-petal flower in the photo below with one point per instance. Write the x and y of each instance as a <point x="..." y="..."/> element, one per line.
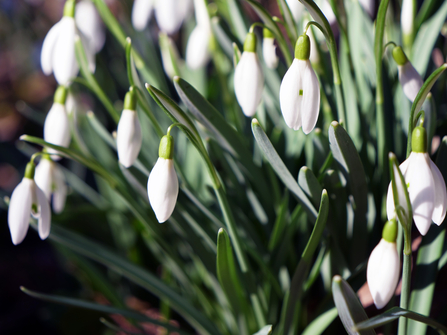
<point x="248" y="78"/>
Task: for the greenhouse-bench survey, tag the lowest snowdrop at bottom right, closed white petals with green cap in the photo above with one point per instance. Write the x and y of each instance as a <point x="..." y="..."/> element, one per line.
<point x="383" y="268"/>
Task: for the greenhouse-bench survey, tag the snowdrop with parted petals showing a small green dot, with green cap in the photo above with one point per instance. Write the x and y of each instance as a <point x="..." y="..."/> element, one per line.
<point x="299" y="94"/>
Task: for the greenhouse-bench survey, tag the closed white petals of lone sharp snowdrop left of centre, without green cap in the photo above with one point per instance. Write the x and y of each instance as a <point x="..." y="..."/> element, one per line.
<point x="162" y="188"/>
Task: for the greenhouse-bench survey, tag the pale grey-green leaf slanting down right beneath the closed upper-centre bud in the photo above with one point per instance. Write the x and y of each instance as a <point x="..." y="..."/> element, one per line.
<point x="280" y="168"/>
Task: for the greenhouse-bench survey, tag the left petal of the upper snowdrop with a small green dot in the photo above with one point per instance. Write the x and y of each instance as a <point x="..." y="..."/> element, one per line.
<point x="289" y="98"/>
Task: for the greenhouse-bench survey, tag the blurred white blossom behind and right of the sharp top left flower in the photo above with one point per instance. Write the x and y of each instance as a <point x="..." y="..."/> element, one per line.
<point x="90" y="25"/>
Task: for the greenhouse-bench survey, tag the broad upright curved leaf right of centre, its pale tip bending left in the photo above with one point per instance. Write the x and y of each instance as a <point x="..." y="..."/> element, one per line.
<point x="351" y="166"/>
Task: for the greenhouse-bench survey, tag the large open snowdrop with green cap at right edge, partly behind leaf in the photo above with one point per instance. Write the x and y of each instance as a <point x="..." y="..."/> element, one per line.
<point x="426" y="186"/>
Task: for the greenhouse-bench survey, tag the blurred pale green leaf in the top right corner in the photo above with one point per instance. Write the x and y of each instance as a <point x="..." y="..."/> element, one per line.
<point x="426" y="38"/>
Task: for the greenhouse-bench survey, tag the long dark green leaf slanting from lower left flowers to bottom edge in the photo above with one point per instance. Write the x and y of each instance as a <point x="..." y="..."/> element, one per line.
<point x="135" y="274"/>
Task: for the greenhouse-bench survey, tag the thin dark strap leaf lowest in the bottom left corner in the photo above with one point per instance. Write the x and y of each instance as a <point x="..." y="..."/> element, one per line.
<point x="100" y="308"/>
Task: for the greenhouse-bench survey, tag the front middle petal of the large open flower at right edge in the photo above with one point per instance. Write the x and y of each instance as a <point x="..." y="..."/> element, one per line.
<point x="421" y="190"/>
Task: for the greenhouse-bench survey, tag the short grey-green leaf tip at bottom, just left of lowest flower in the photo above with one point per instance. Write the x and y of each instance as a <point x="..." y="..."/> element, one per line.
<point x="349" y="307"/>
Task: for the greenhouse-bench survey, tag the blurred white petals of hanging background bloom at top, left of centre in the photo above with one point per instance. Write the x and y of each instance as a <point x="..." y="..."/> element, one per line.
<point x="197" y="53"/>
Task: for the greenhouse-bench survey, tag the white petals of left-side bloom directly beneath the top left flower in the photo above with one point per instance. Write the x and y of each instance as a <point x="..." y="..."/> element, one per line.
<point x="56" y="128"/>
